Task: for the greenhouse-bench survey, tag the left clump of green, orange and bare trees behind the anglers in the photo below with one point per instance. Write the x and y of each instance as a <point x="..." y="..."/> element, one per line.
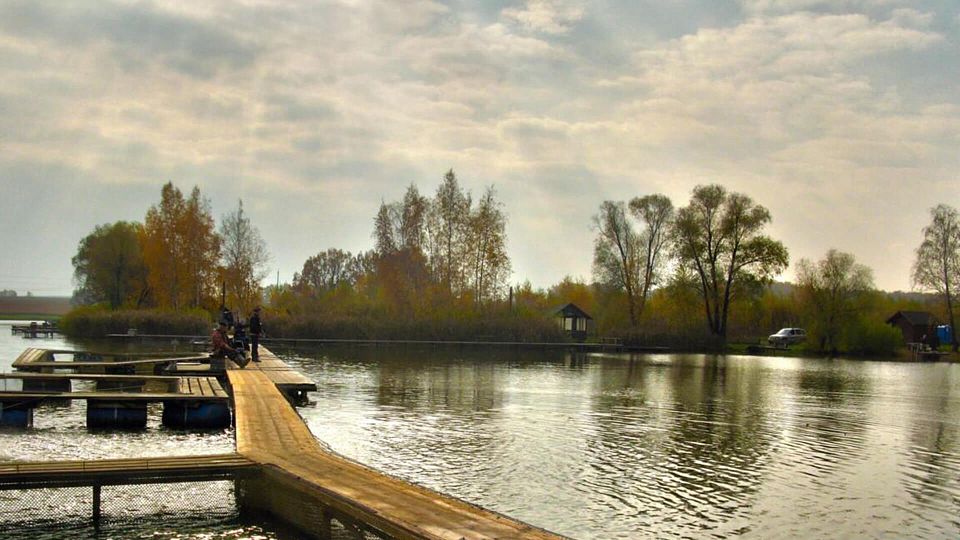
<point x="176" y="259"/>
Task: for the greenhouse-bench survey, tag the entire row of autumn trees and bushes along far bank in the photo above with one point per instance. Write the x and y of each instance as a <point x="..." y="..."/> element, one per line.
<point x="694" y="277"/>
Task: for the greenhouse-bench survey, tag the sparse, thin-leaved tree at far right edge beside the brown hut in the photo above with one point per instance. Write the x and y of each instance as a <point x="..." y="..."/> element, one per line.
<point x="937" y="267"/>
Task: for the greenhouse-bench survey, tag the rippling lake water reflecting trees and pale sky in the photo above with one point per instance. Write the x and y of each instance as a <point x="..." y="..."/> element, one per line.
<point x="610" y="446"/>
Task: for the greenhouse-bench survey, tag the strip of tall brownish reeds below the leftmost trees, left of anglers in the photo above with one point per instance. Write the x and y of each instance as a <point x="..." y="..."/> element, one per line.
<point x="96" y="322"/>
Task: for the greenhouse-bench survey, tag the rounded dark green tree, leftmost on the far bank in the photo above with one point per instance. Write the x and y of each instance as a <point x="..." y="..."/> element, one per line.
<point x="109" y="266"/>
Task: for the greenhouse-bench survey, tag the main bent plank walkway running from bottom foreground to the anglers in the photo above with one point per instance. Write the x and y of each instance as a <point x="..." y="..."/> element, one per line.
<point x="270" y="432"/>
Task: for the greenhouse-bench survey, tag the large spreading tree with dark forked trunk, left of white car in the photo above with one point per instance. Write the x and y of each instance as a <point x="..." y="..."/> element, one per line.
<point x="718" y="238"/>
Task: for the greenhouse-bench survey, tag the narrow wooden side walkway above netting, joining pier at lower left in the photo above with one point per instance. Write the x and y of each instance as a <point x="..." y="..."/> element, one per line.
<point x="45" y="474"/>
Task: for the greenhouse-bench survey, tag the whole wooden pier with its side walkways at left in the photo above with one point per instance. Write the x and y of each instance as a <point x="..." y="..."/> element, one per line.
<point x="286" y="473"/>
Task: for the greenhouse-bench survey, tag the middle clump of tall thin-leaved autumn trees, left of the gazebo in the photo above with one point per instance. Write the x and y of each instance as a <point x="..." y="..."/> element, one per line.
<point x="436" y="260"/>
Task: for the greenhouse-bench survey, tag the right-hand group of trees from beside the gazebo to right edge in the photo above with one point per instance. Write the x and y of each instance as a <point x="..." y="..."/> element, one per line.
<point x="712" y="255"/>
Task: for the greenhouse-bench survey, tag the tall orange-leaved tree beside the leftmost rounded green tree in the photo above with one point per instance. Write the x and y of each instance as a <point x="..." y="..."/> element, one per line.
<point x="181" y="249"/>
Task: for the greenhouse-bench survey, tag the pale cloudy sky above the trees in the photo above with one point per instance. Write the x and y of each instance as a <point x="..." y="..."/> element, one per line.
<point x="842" y="117"/>
